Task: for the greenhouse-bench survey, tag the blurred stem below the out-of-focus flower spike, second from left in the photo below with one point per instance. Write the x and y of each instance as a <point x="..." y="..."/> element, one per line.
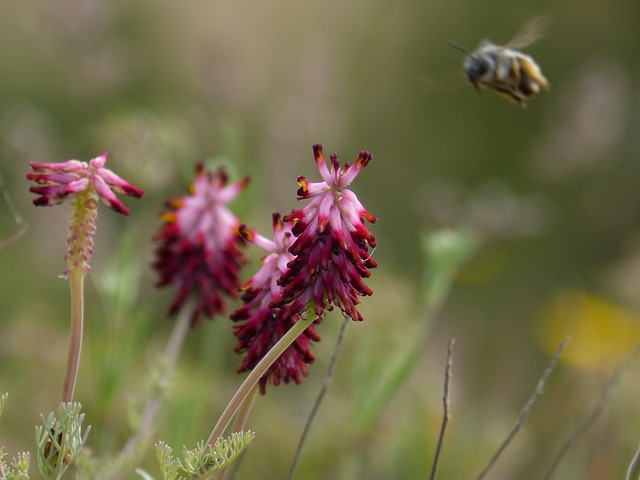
<point x="152" y="405"/>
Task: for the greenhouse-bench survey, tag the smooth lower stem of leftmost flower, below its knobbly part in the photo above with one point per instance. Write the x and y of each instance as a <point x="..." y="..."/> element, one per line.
<point x="76" y="286"/>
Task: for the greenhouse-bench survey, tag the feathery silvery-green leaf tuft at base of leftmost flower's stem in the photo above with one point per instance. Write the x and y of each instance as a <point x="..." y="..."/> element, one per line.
<point x="59" y="440"/>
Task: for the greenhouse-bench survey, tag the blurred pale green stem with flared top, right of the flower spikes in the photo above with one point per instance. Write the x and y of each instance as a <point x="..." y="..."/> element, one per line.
<point x="445" y="252"/>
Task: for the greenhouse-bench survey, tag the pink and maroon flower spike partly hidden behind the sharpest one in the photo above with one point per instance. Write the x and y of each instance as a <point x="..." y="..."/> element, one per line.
<point x="263" y="325"/>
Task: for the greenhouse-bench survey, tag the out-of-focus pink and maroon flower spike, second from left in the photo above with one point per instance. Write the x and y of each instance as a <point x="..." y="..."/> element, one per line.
<point x="198" y="245"/>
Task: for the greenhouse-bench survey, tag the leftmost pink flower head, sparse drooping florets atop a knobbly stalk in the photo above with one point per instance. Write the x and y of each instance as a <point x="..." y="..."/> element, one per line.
<point x="58" y="181"/>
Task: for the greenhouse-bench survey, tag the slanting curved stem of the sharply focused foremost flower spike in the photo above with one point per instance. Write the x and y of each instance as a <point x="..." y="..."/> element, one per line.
<point x="252" y="379"/>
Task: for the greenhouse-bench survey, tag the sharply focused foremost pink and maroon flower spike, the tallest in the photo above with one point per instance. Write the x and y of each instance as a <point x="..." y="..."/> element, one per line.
<point x="332" y="243"/>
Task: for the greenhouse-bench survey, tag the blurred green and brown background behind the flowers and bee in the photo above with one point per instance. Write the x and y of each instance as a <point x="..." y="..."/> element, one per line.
<point x="553" y="191"/>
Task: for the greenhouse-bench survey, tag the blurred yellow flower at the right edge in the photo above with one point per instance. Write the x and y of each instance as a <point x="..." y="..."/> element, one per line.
<point x="602" y="333"/>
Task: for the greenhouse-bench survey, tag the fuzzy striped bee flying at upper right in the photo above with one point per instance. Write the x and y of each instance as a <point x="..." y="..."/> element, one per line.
<point x="511" y="73"/>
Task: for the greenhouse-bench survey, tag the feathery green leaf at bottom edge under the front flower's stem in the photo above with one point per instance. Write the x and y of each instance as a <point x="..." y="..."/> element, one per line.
<point x="204" y="460"/>
